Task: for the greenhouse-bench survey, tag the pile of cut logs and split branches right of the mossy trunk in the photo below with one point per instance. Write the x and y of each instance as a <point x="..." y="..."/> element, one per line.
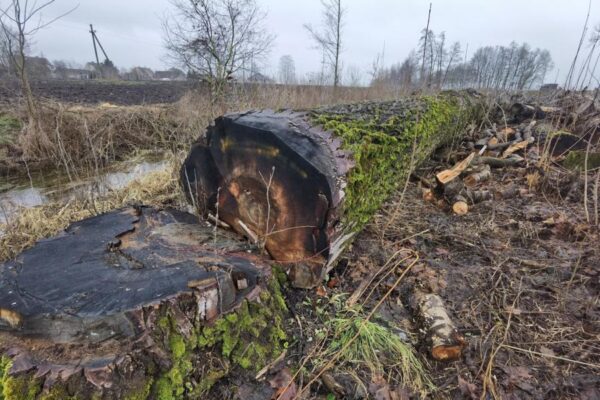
<point x="497" y="148"/>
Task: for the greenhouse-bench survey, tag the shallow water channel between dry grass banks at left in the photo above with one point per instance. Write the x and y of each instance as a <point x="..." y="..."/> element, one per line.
<point x="24" y="192"/>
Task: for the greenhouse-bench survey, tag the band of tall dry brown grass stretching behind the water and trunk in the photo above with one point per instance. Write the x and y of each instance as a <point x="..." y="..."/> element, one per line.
<point x="85" y="138"/>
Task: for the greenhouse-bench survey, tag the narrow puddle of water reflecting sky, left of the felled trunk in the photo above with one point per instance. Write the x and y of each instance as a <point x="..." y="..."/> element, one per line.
<point x="25" y="195"/>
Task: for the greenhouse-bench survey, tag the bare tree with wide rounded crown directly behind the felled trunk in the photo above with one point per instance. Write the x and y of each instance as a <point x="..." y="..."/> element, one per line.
<point x="215" y="39"/>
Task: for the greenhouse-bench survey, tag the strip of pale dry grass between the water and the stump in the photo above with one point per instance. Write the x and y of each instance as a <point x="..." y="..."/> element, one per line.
<point x="29" y="225"/>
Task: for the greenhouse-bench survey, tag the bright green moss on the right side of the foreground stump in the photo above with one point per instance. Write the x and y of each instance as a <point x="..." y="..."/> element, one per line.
<point x="249" y="338"/>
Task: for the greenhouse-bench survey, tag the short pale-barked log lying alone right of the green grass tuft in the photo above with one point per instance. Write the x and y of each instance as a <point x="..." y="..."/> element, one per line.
<point x="441" y="335"/>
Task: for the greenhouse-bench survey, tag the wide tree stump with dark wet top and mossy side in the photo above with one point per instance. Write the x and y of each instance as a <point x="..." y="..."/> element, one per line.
<point x="133" y="304"/>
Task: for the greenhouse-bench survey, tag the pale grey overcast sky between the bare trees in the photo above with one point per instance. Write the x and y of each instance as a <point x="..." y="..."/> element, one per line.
<point x="131" y="33"/>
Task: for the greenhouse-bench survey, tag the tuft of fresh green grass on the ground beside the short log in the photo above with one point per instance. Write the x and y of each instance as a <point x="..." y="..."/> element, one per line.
<point x="378" y="348"/>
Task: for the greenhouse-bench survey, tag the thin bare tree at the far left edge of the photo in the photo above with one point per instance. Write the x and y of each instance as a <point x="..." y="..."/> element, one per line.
<point x="19" y="22"/>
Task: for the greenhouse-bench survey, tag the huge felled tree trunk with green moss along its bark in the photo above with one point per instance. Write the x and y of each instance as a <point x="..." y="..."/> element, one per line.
<point x="302" y="184"/>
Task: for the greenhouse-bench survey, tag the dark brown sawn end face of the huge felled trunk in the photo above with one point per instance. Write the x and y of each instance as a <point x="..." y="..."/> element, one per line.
<point x="272" y="178"/>
